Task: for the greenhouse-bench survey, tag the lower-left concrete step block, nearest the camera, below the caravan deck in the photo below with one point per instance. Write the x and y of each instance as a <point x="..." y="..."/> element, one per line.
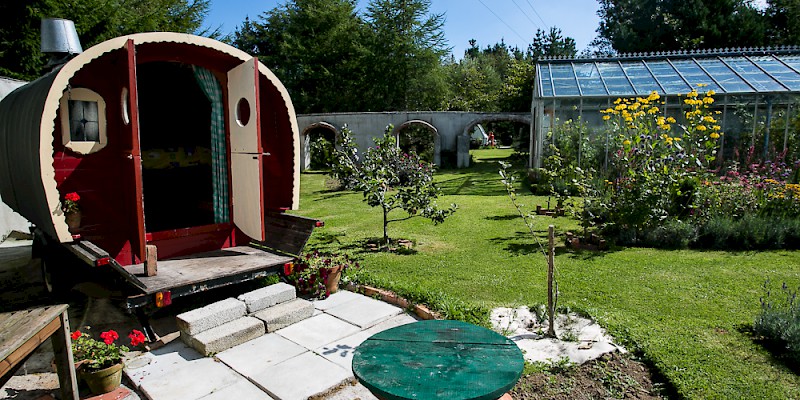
<point x="226" y="335"/>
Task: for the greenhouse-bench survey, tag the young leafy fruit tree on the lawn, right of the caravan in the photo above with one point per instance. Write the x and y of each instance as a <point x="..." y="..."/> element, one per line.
<point x="389" y="179"/>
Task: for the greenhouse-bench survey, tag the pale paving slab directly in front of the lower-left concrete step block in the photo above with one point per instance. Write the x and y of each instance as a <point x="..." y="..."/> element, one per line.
<point x="259" y="354"/>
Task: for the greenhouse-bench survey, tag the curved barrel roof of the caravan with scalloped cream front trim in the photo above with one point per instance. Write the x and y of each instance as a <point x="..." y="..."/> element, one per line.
<point x="28" y="118"/>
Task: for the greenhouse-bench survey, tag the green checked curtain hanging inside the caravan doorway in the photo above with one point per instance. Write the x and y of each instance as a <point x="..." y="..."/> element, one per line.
<point x="219" y="168"/>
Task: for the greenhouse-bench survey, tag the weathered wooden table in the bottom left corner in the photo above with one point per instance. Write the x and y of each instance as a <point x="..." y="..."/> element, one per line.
<point x="21" y="332"/>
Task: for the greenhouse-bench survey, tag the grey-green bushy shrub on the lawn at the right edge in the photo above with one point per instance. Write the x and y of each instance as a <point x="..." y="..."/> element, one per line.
<point x="779" y="321"/>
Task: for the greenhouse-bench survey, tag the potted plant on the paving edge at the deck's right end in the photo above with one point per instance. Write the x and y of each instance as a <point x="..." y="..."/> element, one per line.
<point x="318" y="273"/>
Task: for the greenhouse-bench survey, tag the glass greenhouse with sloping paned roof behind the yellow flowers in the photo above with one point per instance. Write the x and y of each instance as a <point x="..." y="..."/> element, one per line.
<point x="754" y="93"/>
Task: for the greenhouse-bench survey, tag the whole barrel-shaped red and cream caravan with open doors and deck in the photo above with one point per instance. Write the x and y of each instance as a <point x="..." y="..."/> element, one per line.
<point x="170" y="140"/>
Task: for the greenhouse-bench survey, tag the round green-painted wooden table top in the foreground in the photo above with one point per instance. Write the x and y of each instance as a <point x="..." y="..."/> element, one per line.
<point x="438" y="359"/>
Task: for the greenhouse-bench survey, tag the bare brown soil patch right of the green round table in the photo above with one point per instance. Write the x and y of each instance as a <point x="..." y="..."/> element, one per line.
<point x="615" y="375"/>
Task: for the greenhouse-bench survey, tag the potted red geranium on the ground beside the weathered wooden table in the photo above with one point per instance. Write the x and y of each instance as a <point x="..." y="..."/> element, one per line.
<point x="99" y="363"/>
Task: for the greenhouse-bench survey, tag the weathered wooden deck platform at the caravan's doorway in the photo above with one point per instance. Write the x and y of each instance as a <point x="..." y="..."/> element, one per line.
<point x="206" y="268"/>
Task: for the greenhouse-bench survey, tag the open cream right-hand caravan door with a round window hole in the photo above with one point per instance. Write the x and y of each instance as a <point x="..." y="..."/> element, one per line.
<point x="247" y="155"/>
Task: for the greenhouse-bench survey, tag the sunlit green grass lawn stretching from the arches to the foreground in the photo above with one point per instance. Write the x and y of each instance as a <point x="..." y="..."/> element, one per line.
<point x="687" y="312"/>
